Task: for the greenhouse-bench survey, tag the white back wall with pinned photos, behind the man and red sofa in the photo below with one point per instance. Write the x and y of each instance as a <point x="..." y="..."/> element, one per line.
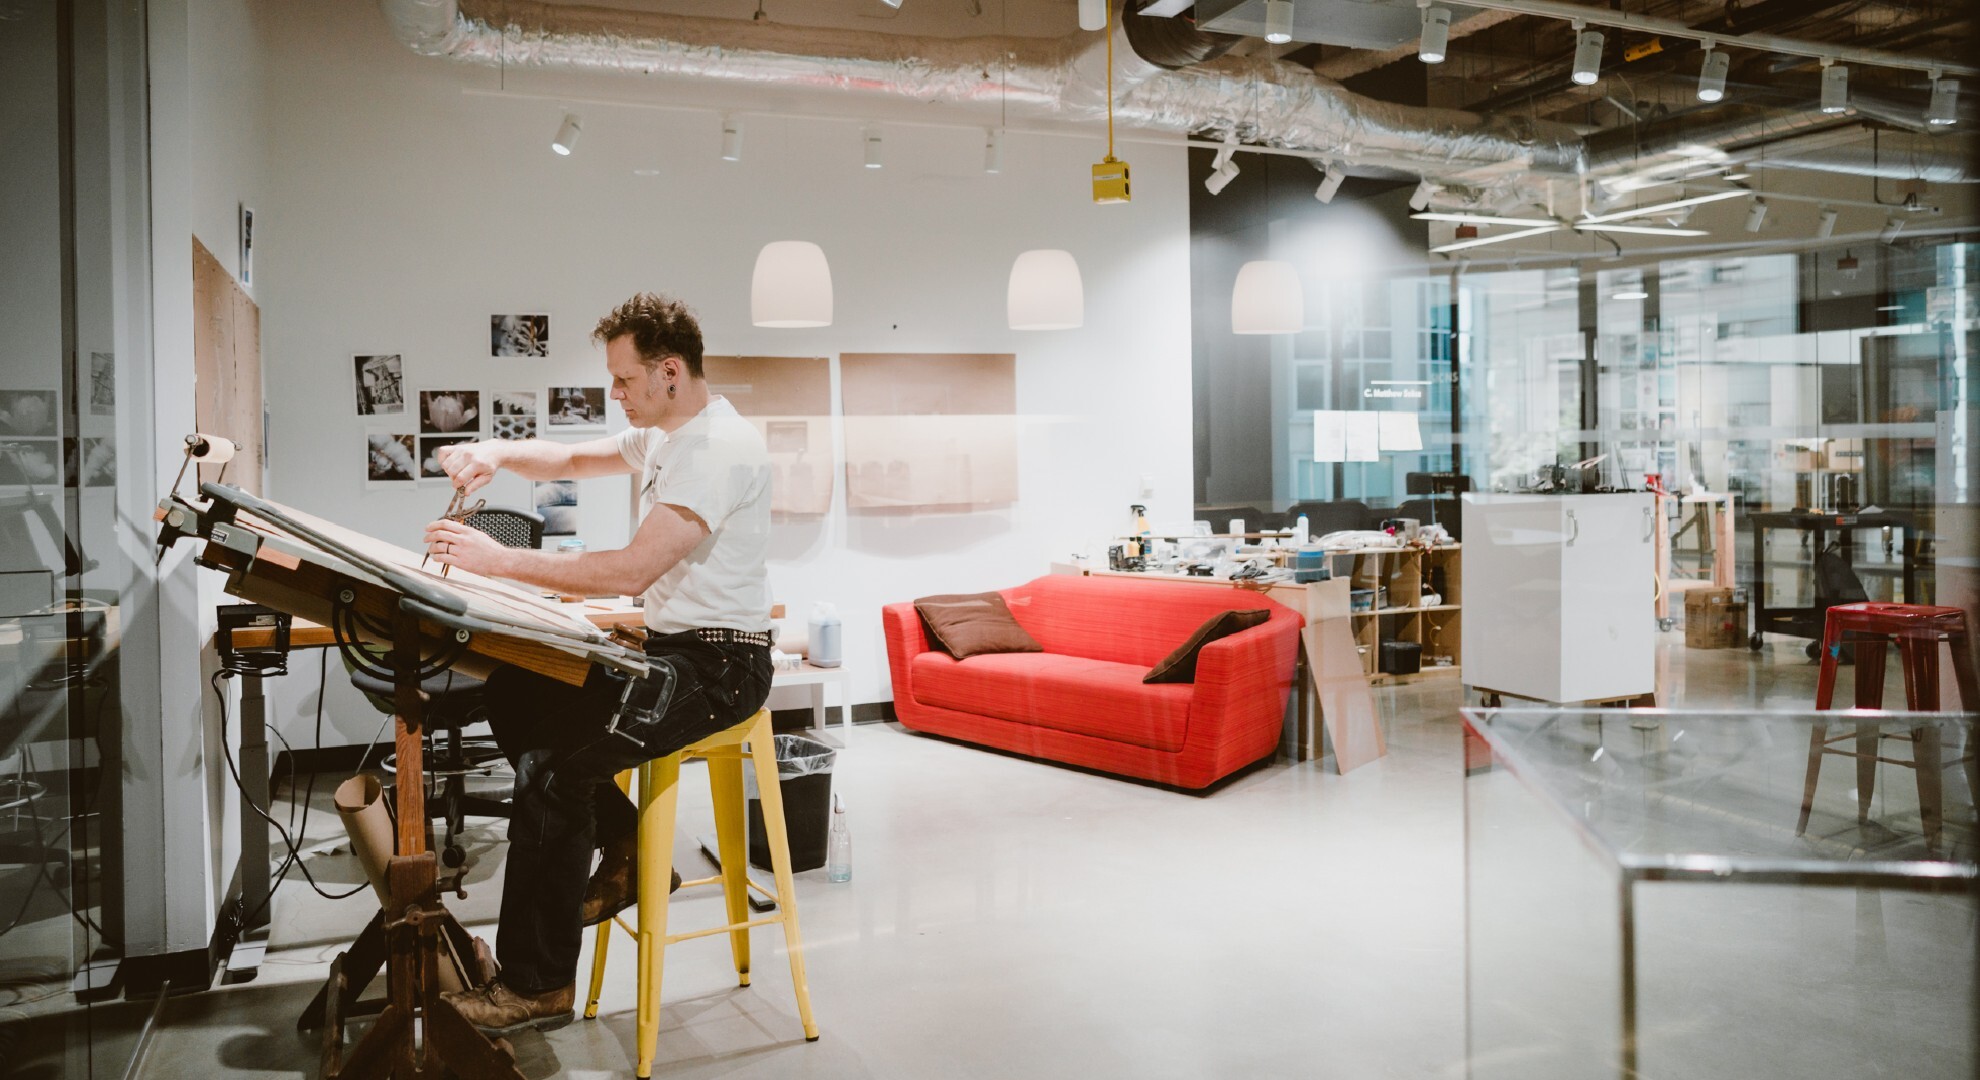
<point x="401" y="213"/>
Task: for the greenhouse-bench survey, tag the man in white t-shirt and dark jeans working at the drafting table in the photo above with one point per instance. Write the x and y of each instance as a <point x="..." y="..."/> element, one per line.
<point x="698" y="558"/>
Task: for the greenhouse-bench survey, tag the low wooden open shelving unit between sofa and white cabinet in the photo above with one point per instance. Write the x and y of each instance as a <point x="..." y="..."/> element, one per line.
<point x="1401" y="574"/>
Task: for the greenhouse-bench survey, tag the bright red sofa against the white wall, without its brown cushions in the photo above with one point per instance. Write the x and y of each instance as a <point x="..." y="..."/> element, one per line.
<point x="1082" y="699"/>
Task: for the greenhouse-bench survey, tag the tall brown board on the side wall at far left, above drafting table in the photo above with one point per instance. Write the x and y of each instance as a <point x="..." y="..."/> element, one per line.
<point x="227" y="368"/>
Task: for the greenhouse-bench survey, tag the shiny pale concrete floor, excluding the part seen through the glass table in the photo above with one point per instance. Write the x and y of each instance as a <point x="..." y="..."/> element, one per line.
<point x="1011" y="918"/>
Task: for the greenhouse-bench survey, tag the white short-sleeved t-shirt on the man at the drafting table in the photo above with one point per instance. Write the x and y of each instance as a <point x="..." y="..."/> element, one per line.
<point x="718" y="469"/>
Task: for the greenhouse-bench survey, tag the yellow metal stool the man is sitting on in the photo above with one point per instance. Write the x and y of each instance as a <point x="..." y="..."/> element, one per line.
<point x="658" y="796"/>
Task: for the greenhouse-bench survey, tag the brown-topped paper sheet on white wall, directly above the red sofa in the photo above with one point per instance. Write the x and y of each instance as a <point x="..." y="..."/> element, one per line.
<point x="930" y="431"/>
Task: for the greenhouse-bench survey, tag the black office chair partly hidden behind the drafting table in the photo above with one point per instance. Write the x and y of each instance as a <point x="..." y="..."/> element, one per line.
<point x="454" y="702"/>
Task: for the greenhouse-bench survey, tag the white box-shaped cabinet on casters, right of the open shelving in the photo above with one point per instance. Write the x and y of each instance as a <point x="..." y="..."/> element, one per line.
<point x="1559" y="595"/>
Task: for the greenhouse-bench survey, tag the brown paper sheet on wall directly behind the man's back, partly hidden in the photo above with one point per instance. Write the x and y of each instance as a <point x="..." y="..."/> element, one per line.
<point x="791" y="403"/>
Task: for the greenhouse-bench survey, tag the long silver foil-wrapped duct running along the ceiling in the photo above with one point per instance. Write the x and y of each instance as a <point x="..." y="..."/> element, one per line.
<point x="1482" y="160"/>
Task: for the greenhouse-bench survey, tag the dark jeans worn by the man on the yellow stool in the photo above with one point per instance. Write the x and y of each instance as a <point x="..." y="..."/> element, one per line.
<point x="565" y="800"/>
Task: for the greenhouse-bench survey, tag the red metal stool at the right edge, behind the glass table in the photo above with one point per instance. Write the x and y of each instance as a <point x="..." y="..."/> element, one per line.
<point x="1918" y="631"/>
